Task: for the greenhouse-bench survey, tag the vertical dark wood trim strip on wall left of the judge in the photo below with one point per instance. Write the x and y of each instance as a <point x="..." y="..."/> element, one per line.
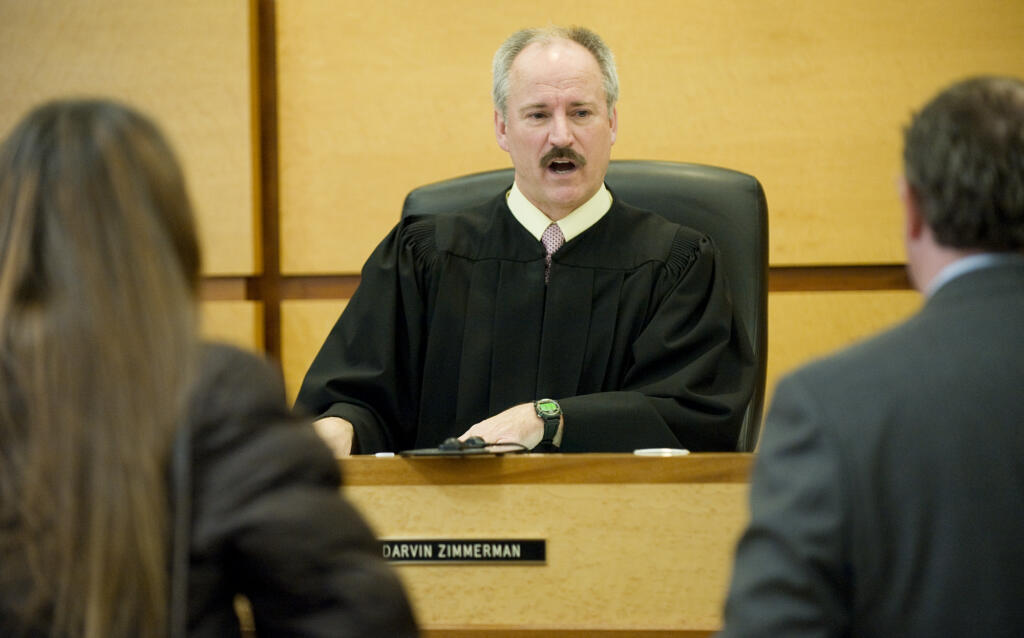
<point x="266" y="52"/>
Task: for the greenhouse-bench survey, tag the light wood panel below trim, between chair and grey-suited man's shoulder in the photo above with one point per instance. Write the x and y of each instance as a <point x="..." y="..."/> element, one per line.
<point x="806" y="326"/>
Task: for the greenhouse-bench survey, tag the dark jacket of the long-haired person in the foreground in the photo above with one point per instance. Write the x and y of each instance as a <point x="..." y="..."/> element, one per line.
<point x="269" y="522"/>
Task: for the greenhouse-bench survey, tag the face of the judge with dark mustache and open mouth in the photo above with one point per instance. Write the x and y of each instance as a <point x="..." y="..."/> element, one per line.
<point x="559" y="131"/>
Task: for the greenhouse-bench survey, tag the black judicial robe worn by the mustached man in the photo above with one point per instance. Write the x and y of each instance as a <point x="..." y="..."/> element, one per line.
<point x="635" y="335"/>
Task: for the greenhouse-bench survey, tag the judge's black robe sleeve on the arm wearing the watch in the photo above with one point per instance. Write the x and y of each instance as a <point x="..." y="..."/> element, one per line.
<point x="692" y="374"/>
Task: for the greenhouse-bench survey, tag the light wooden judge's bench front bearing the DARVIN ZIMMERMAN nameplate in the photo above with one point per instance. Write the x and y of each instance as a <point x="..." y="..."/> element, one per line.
<point x="629" y="545"/>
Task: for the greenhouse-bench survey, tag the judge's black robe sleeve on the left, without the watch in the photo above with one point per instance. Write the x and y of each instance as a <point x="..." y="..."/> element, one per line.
<point x="369" y="368"/>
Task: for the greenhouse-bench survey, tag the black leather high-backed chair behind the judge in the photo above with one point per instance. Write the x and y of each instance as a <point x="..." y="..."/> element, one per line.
<point x="728" y="205"/>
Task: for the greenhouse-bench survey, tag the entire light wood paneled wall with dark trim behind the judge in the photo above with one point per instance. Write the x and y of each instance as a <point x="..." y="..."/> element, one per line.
<point x="303" y="125"/>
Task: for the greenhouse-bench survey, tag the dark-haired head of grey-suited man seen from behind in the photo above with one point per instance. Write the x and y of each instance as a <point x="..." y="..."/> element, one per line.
<point x="964" y="166"/>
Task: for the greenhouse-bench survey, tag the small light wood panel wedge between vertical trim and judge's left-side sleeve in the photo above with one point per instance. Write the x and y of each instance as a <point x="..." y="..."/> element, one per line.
<point x="305" y="326"/>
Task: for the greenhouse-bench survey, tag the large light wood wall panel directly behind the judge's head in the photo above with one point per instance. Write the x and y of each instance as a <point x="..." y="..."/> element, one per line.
<point x="809" y="96"/>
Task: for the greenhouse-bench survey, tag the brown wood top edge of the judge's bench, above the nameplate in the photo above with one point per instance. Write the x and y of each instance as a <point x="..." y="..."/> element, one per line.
<point x="546" y="470"/>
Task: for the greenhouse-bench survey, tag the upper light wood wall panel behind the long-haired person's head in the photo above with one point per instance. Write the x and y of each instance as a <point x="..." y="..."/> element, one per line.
<point x="187" y="64"/>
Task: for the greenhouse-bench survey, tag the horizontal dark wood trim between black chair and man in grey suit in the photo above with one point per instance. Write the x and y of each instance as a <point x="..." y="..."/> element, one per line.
<point x="823" y="279"/>
